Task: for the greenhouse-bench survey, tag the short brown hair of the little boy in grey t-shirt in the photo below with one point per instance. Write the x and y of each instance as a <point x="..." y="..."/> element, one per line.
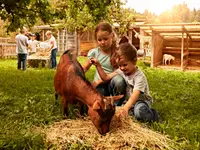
<point x="128" y="51"/>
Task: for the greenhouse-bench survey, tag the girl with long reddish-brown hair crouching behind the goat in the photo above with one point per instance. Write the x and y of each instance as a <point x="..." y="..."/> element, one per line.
<point x="105" y="53"/>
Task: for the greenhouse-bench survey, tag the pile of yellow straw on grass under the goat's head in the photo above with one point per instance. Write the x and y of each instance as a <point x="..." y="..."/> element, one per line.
<point x="123" y="135"/>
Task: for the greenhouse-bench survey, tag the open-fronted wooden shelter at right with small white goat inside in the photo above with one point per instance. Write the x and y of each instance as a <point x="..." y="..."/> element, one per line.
<point x="181" y="40"/>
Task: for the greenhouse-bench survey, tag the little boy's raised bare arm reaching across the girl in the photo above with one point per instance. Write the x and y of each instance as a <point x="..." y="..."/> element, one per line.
<point x="103" y="75"/>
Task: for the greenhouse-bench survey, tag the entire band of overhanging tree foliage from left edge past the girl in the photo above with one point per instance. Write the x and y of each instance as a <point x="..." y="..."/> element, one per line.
<point x="72" y="14"/>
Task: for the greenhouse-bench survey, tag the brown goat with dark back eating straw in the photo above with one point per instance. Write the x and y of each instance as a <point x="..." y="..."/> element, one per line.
<point x="70" y="83"/>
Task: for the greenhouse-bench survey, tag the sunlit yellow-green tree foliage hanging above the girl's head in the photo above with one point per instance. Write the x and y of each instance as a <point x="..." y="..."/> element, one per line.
<point x="85" y="14"/>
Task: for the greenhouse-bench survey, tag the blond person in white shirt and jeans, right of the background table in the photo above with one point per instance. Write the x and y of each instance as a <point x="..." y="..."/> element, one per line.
<point x="53" y="48"/>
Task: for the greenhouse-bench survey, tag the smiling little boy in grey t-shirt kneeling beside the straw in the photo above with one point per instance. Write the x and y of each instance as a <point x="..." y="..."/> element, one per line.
<point x="138" y="100"/>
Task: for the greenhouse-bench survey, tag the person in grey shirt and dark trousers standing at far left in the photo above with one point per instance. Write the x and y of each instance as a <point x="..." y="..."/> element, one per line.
<point x="21" y="48"/>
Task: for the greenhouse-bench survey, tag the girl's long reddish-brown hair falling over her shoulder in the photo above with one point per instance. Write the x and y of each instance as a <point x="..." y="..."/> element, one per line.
<point x="104" y="26"/>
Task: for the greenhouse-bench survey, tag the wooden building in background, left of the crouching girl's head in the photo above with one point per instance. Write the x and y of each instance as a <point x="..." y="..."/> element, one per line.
<point x="81" y="42"/>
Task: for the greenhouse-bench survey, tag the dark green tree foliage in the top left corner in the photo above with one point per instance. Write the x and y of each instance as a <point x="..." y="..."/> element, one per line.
<point x="24" y="12"/>
